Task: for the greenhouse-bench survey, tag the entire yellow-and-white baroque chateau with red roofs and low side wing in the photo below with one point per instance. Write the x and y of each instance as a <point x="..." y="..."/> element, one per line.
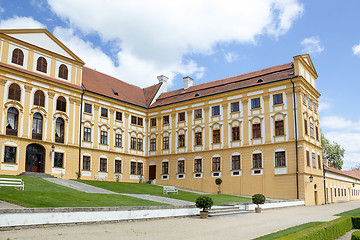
<point x="259" y="132"/>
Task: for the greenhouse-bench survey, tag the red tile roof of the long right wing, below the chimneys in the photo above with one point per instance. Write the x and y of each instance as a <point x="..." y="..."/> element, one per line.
<point x="268" y="75"/>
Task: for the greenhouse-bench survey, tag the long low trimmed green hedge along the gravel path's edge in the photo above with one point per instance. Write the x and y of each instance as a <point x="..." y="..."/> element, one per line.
<point x="329" y="230"/>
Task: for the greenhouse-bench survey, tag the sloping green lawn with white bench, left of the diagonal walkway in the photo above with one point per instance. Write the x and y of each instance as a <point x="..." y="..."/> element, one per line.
<point x="40" y="193"/>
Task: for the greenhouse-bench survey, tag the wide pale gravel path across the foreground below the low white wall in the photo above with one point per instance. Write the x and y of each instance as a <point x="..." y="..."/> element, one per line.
<point x="242" y="226"/>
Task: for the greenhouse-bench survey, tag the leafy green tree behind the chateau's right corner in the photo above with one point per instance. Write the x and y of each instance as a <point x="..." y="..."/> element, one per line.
<point x="332" y="152"/>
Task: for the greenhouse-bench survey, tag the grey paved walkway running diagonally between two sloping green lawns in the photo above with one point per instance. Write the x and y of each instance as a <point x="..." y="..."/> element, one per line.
<point x="91" y="189"/>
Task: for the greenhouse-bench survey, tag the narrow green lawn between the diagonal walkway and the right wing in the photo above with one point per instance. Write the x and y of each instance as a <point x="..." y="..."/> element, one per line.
<point x="142" y="188"/>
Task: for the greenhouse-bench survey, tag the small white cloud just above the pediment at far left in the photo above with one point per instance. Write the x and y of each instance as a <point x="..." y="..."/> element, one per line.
<point x="20" y="23"/>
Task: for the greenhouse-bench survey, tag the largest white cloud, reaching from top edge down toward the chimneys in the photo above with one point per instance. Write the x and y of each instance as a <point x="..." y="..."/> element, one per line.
<point x="156" y="37"/>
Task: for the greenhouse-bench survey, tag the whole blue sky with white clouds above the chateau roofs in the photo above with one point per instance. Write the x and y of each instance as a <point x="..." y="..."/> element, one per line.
<point x="138" y="40"/>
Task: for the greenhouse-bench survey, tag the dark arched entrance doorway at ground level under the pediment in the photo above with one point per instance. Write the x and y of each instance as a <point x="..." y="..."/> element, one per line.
<point x="35" y="158"/>
